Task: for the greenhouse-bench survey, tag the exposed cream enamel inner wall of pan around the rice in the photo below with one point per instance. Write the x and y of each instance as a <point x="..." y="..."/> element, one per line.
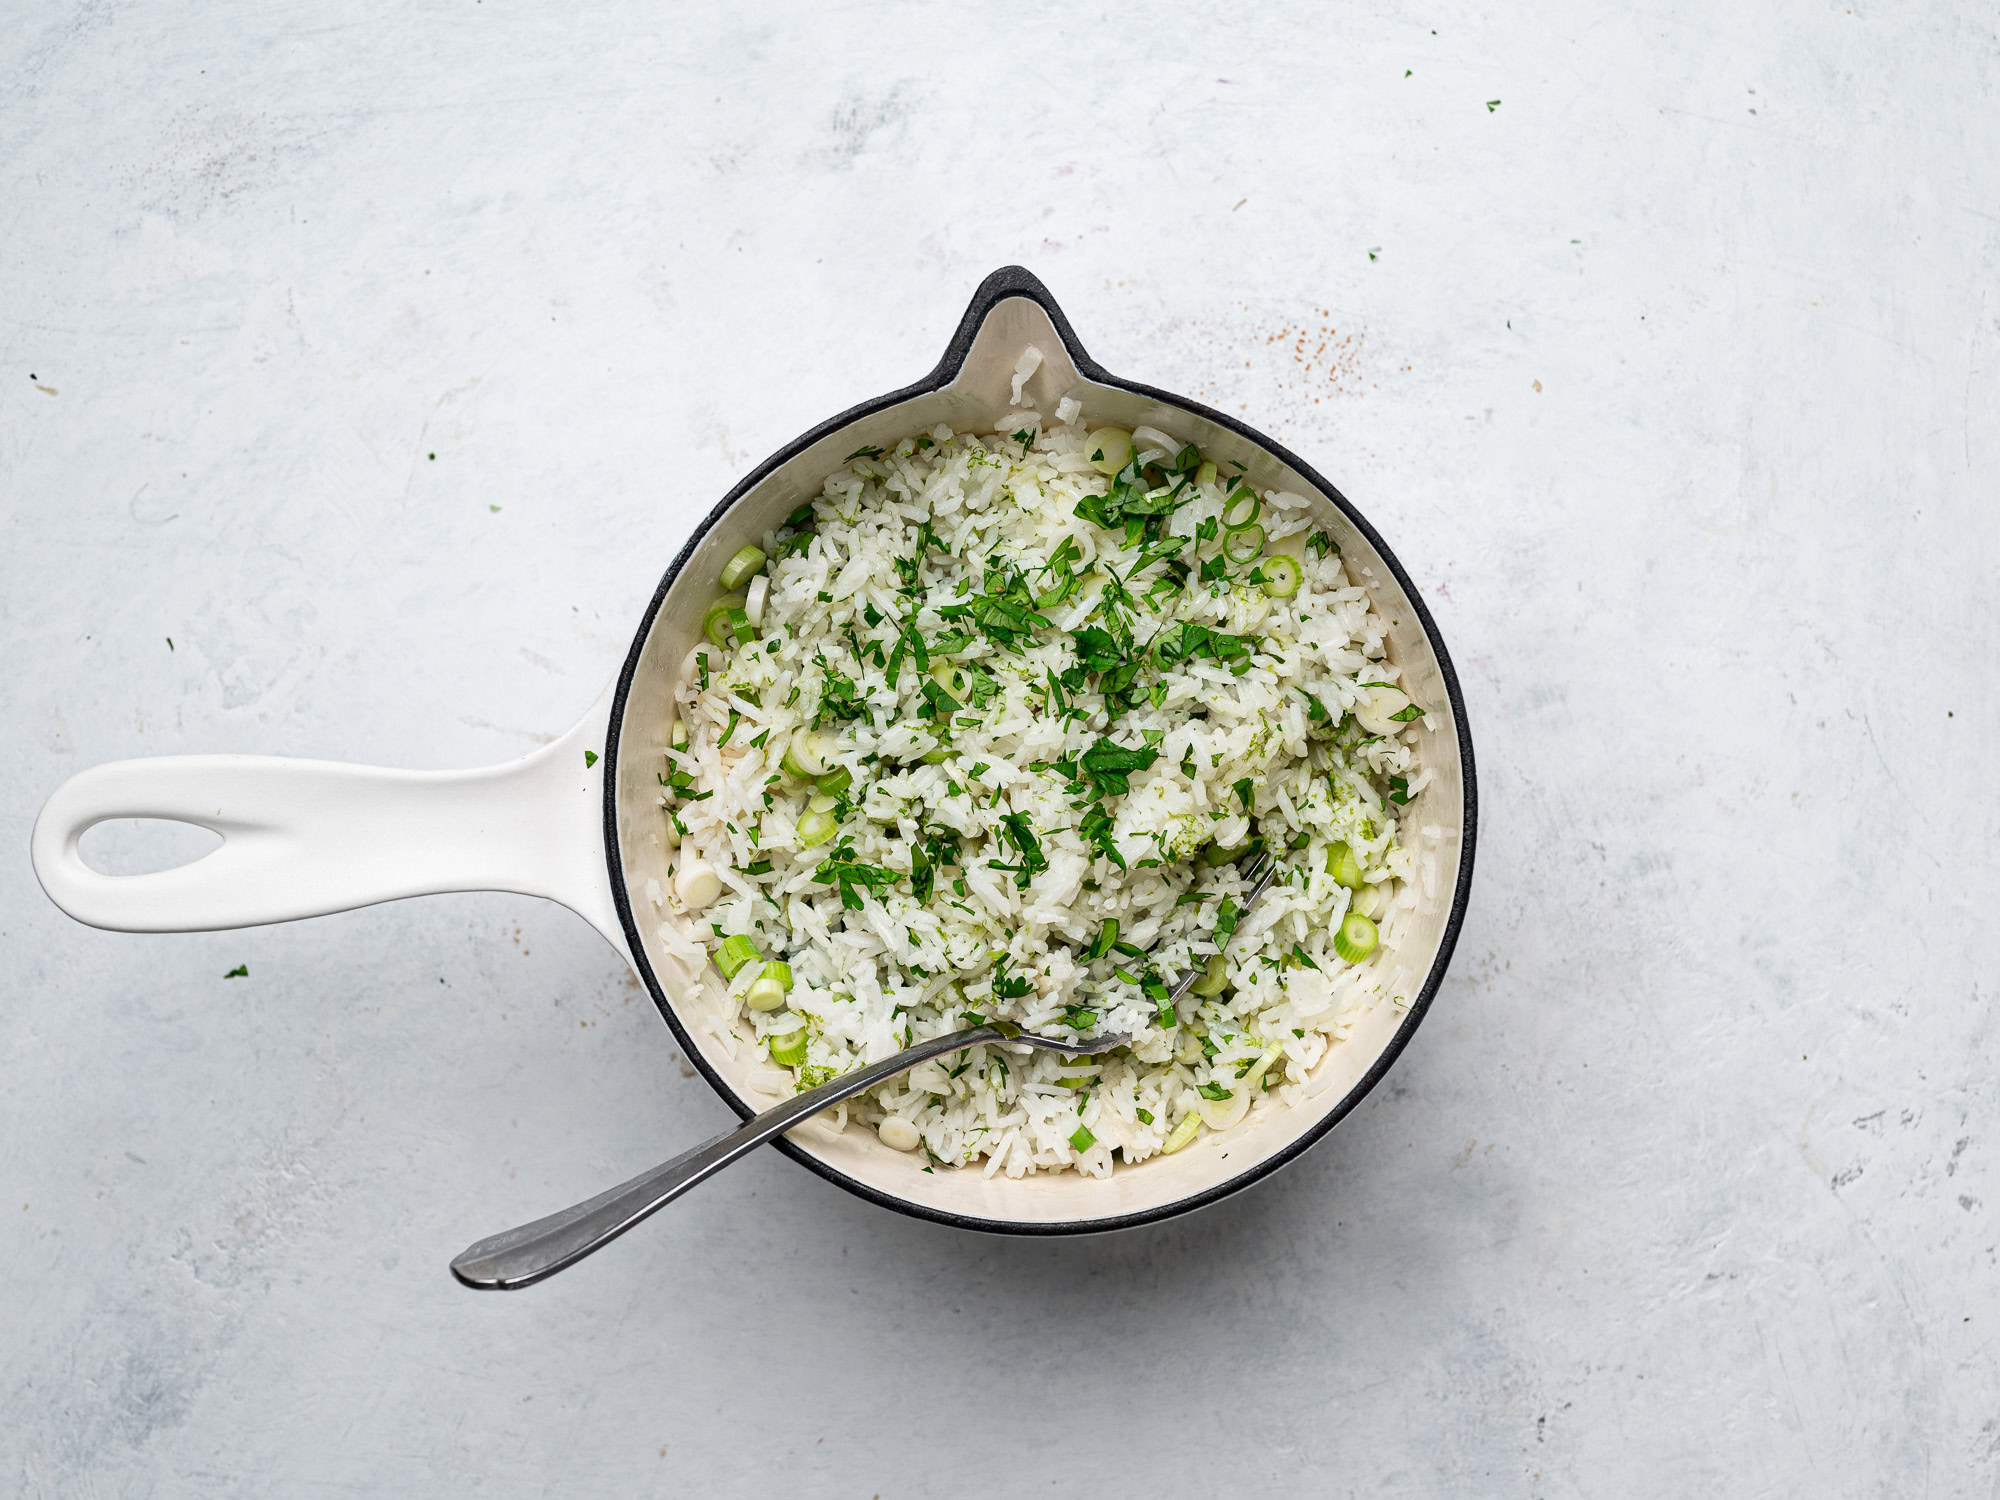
<point x="977" y="401"/>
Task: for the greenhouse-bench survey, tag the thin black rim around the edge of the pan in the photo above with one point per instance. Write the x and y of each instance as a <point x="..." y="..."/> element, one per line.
<point x="1003" y="285"/>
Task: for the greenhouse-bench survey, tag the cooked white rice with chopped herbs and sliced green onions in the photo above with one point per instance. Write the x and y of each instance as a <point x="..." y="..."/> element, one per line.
<point x="1243" y="749"/>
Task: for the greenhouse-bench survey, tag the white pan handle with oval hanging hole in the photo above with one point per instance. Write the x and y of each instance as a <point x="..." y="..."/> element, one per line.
<point x="313" y="837"/>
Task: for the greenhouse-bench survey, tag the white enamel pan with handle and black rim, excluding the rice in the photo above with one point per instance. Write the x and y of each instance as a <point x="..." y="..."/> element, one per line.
<point x="311" y="837"/>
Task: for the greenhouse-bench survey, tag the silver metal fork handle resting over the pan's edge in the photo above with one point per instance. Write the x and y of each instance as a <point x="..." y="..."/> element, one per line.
<point x="527" y="1255"/>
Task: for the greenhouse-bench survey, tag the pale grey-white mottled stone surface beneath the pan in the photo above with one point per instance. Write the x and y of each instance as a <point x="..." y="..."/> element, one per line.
<point x="1675" y="381"/>
